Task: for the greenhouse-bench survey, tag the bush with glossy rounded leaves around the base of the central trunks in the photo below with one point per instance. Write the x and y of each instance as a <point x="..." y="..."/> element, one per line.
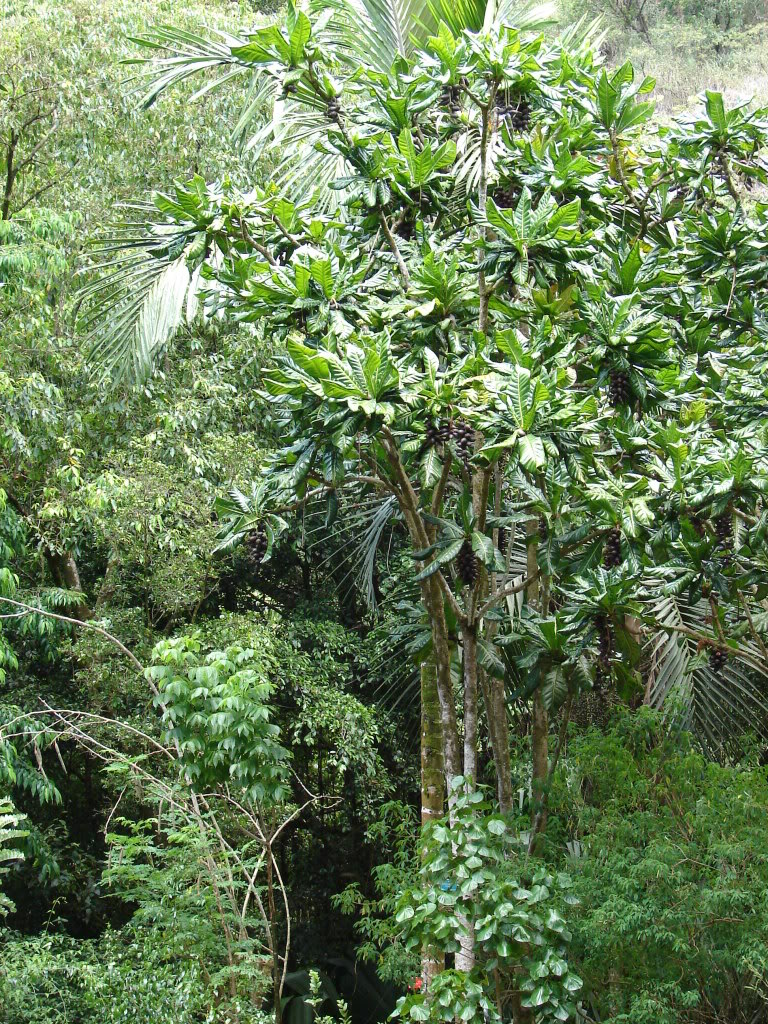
<point x="473" y="870"/>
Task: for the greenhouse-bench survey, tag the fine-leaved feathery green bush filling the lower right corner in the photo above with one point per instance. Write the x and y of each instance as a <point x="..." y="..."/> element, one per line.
<point x="673" y="885"/>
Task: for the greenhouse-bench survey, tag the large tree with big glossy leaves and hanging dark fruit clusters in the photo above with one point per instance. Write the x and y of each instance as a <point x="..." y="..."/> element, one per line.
<point x="542" y="345"/>
